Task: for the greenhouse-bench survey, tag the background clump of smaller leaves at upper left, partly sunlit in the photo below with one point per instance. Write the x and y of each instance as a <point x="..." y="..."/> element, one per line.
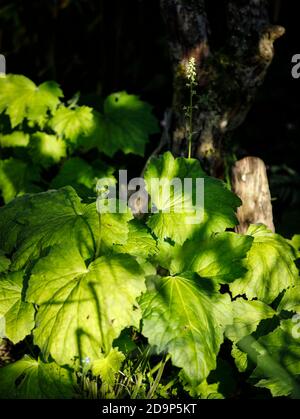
<point x="43" y="141"/>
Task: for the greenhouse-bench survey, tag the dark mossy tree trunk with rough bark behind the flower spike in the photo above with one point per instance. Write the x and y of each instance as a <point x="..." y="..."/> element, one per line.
<point x="228" y="78"/>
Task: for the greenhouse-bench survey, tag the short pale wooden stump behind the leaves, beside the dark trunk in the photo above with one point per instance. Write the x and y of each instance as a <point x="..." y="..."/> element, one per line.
<point x="250" y="183"/>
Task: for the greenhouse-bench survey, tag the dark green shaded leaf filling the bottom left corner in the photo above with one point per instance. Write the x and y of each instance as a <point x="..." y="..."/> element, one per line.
<point x="31" y="379"/>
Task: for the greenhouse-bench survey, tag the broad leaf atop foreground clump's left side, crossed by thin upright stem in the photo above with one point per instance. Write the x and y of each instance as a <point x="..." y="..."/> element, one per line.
<point x="33" y="223"/>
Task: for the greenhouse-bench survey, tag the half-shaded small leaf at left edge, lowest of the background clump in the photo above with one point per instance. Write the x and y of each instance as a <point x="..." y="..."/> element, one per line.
<point x="16" y="178"/>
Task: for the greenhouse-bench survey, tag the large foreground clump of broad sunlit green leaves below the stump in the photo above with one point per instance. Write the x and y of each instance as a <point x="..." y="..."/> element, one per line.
<point x="75" y="280"/>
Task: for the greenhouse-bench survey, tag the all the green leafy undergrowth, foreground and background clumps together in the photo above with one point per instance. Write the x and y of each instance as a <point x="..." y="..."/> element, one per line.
<point x="115" y="306"/>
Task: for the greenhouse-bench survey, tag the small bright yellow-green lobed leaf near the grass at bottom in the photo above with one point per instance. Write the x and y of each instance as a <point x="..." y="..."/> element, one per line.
<point x="108" y="366"/>
